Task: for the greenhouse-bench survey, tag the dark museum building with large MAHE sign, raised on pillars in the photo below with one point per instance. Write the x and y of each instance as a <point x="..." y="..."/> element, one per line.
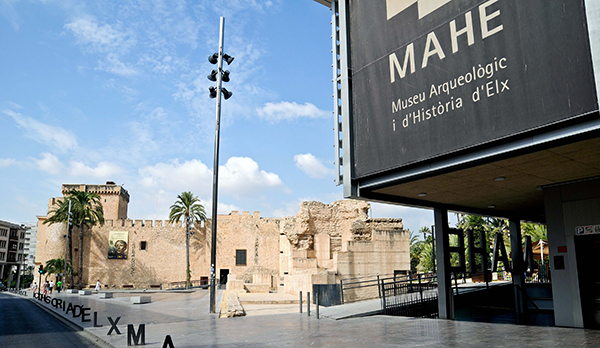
<point x="487" y="107"/>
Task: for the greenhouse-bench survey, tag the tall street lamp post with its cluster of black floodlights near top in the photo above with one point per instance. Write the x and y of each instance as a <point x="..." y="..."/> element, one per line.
<point x="219" y="76"/>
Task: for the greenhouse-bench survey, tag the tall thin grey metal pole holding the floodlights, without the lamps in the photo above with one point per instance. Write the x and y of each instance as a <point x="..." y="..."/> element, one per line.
<point x="213" y="249"/>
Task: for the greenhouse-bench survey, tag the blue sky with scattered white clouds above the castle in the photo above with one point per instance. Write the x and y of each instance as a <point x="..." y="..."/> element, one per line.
<point x="96" y="91"/>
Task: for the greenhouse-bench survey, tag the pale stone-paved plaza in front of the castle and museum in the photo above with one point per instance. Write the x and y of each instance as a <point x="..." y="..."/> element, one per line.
<point x="185" y="317"/>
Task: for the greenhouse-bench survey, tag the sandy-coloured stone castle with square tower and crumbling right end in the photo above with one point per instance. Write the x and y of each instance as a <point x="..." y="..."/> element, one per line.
<point x="320" y="245"/>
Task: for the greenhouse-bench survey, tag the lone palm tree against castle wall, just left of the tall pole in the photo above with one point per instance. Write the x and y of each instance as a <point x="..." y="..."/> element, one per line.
<point x="188" y="207"/>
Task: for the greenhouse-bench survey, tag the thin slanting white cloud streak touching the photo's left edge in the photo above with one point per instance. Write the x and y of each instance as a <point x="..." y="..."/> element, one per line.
<point x="45" y="134"/>
